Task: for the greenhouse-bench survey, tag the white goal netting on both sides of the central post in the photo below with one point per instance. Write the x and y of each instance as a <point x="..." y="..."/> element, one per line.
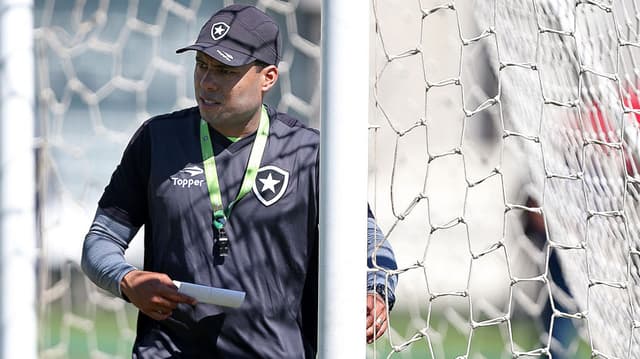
<point x="503" y="163"/>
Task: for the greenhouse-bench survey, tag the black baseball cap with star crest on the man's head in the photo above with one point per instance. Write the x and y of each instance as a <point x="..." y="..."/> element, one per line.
<point x="238" y="35"/>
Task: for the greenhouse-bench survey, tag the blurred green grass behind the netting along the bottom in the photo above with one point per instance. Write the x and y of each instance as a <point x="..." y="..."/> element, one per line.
<point x="77" y="338"/>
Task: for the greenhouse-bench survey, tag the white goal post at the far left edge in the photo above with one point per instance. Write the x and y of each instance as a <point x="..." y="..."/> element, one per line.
<point x="18" y="334"/>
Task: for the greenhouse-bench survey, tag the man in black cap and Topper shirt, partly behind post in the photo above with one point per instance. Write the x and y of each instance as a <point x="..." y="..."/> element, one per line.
<point x="228" y="194"/>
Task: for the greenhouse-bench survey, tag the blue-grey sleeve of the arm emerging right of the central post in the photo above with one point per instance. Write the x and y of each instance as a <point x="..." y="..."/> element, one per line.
<point x="380" y="260"/>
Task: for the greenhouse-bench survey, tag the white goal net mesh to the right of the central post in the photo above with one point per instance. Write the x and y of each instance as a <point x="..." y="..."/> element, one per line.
<point x="508" y="180"/>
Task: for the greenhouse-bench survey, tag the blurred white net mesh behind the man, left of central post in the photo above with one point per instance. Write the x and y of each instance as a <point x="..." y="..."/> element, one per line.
<point x="103" y="67"/>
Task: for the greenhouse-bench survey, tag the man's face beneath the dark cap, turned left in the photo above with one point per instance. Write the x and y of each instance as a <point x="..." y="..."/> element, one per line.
<point x="227" y="97"/>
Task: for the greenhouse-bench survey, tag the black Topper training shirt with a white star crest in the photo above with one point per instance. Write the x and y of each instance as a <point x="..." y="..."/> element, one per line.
<point x="273" y="234"/>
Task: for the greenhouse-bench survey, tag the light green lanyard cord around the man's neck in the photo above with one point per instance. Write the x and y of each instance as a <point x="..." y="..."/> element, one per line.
<point x="220" y="214"/>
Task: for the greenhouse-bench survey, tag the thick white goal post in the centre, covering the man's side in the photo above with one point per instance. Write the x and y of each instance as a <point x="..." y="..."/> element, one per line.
<point x="343" y="178"/>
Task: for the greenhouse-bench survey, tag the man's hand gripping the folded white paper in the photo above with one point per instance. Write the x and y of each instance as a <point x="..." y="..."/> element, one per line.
<point x="153" y="293"/>
